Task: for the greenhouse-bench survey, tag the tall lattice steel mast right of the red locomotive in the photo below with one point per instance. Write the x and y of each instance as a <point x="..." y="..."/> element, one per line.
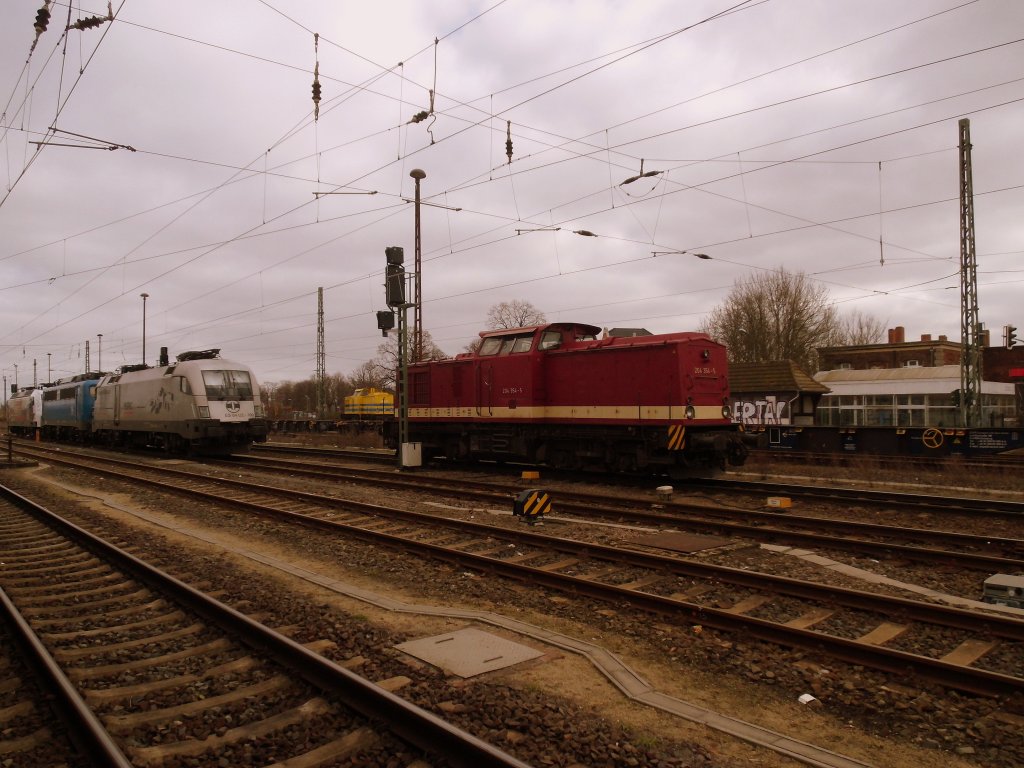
<point x="971" y="336"/>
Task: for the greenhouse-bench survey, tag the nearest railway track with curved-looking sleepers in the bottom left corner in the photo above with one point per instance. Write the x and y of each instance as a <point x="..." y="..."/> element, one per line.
<point x="147" y="670"/>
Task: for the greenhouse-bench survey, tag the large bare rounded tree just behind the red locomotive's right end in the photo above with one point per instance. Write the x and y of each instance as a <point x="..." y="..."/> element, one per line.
<point x="776" y="316"/>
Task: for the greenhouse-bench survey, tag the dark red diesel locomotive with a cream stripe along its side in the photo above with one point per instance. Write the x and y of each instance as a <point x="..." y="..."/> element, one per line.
<point x="560" y="396"/>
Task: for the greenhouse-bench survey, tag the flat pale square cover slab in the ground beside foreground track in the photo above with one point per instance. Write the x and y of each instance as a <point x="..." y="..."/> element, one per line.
<point x="470" y="653"/>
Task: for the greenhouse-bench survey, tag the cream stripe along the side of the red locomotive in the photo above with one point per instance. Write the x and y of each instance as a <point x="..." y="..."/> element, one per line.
<point x="606" y="413"/>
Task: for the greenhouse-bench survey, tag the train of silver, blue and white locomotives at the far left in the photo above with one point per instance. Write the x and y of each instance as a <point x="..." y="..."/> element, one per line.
<point x="200" y="404"/>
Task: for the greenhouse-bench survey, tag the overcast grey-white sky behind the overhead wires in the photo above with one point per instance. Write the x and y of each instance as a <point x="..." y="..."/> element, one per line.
<point x="181" y="157"/>
